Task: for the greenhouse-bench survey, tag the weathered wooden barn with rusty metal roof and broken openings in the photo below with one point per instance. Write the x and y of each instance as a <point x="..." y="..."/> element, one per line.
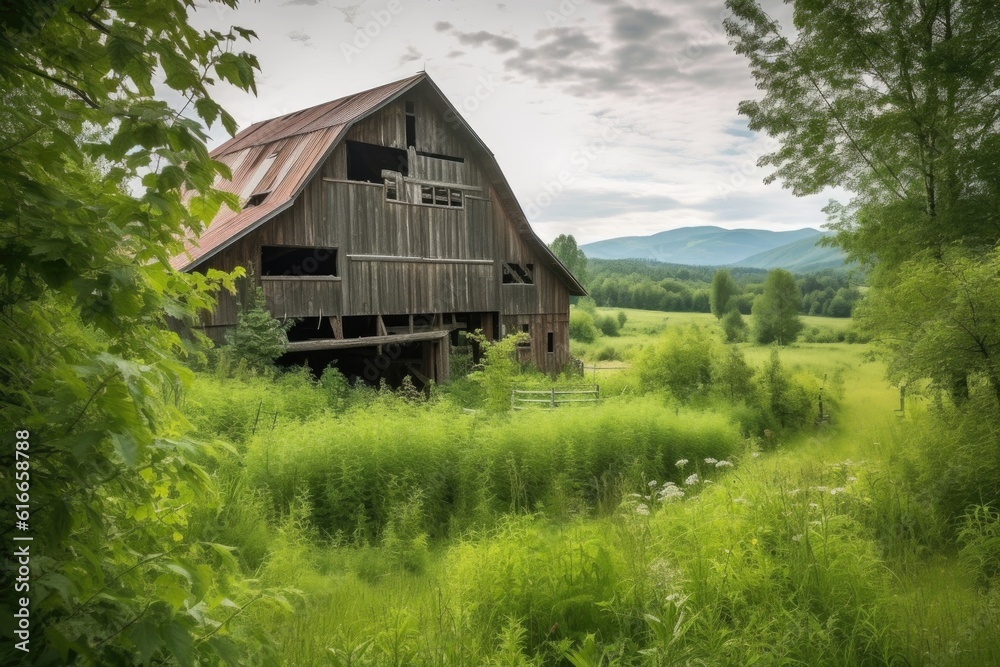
<point x="384" y="227"/>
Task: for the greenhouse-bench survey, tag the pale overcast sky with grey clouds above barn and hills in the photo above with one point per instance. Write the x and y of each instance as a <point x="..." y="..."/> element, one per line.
<point x="608" y="117"/>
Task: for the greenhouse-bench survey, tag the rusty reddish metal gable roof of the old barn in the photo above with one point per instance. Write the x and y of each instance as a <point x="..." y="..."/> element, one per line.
<point x="280" y="156"/>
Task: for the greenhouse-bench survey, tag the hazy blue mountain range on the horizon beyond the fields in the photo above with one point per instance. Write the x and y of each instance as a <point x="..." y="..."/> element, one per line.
<point x="795" y="250"/>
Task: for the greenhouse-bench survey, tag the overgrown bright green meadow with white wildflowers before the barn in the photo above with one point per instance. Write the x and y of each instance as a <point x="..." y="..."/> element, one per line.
<point x="676" y="523"/>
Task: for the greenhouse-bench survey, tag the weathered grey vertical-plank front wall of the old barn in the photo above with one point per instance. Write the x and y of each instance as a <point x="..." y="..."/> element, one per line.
<point x="398" y="258"/>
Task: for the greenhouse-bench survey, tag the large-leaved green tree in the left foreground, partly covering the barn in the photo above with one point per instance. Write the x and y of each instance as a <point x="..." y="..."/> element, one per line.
<point x="91" y="373"/>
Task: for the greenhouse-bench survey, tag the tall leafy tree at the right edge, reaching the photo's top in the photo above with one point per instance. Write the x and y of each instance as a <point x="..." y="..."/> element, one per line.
<point x="897" y="103"/>
